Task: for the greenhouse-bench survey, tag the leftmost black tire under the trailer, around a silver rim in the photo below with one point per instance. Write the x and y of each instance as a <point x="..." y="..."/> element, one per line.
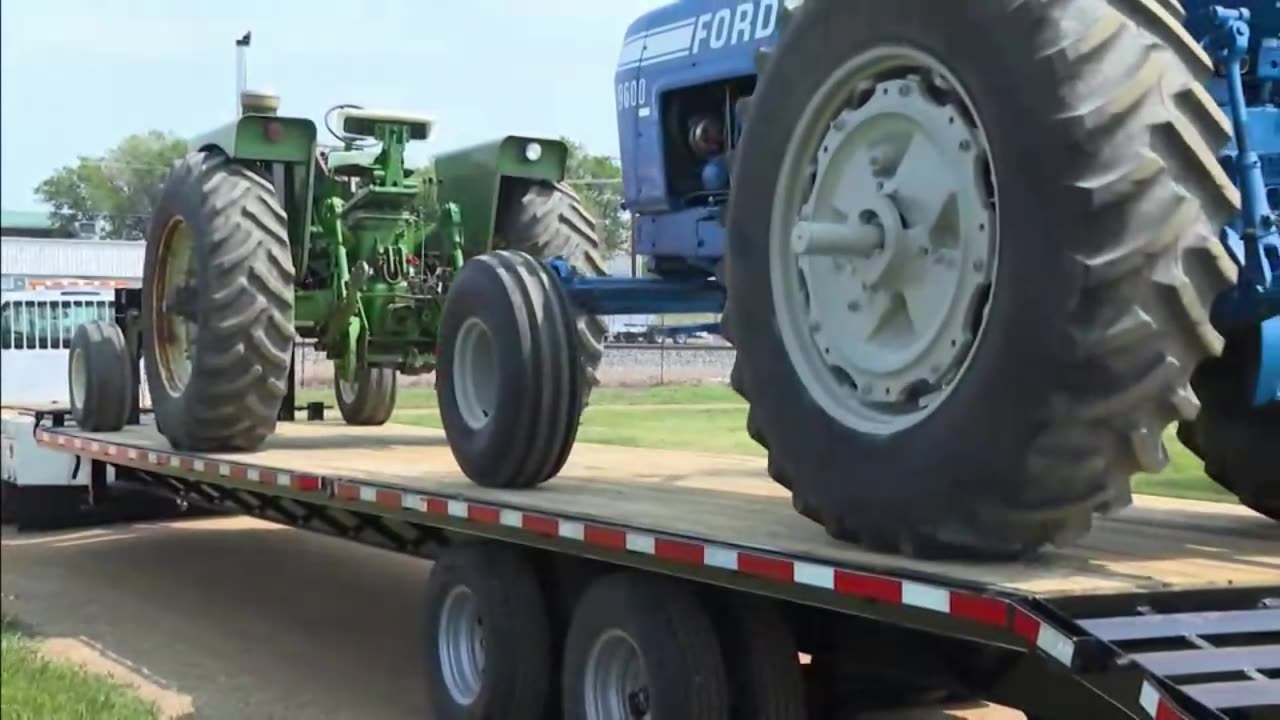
<point x="516" y="677"/>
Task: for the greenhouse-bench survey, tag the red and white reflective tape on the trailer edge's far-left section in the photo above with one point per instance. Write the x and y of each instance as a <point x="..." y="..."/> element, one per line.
<point x="150" y="459"/>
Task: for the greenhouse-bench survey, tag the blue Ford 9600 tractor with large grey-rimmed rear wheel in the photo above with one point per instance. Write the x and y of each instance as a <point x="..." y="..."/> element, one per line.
<point x="976" y="258"/>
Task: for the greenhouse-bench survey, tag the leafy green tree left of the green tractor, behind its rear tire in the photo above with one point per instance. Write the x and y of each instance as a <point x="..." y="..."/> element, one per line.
<point x="120" y="189"/>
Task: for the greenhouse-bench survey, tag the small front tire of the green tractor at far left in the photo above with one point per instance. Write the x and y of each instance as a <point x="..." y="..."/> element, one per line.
<point x="109" y="377"/>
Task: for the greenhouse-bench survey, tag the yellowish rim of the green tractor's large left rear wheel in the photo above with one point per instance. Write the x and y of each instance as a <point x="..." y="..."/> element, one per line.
<point x="175" y="335"/>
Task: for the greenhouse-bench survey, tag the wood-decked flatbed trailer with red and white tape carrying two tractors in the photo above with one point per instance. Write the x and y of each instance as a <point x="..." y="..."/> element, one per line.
<point x="1171" y="609"/>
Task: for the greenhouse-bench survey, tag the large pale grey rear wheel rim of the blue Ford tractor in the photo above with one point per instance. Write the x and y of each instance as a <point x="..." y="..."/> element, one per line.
<point x="885" y="240"/>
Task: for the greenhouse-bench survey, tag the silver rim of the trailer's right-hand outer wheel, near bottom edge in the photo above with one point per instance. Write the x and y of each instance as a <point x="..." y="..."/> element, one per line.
<point x="616" y="683"/>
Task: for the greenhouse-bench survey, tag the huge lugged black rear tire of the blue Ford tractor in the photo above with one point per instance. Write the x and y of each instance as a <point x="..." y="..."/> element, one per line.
<point x="1110" y="207"/>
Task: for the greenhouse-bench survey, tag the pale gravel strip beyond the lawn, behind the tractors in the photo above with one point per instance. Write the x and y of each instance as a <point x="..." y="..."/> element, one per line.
<point x="621" y="367"/>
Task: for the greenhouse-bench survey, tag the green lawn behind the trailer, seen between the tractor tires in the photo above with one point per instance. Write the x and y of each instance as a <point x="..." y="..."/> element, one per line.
<point x="712" y="418"/>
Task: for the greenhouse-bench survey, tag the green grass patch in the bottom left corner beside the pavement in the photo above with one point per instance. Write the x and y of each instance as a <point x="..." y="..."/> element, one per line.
<point x="35" y="689"/>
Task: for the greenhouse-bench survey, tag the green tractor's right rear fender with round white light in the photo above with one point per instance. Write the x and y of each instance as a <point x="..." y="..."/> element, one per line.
<point x="473" y="180"/>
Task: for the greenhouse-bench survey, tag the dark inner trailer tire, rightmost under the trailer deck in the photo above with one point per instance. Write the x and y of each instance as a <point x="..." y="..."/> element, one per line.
<point x="762" y="662"/>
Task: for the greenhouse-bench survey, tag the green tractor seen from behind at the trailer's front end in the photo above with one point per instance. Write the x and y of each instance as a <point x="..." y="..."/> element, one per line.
<point x="262" y="238"/>
